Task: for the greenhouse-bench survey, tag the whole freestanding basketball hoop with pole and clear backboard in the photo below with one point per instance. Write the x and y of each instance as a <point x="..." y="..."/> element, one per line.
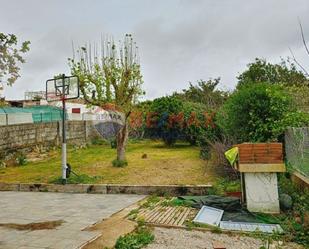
<point x="62" y="89"/>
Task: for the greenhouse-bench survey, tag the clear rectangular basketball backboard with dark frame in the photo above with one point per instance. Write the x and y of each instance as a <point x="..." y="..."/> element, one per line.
<point x="65" y="87"/>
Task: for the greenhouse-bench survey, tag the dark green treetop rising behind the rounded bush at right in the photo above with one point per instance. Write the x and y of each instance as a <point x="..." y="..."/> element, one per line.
<point x="261" y="71"/>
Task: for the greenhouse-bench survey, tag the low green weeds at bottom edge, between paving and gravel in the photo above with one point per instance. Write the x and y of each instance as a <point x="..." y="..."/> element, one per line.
<point x="138" y="239"/>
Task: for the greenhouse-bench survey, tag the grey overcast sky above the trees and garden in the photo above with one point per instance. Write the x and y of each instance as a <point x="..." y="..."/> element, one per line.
<point x="179" y="40"/>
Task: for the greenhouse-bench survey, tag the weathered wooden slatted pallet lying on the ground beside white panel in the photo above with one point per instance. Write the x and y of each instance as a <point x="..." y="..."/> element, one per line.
<point x="173" y="216"/>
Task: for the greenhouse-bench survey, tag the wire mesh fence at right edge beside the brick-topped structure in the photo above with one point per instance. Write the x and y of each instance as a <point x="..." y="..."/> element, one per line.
<point x="297" y="149"/>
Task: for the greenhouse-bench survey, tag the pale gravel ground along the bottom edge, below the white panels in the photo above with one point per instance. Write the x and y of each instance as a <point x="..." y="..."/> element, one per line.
<point x="183" y="239"/>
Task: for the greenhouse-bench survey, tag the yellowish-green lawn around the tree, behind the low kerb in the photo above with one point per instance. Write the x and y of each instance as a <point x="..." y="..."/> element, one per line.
<point x="177" y="165"/>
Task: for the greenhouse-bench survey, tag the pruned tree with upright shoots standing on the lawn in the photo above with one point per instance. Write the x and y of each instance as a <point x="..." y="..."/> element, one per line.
<point x="110" y="75"/>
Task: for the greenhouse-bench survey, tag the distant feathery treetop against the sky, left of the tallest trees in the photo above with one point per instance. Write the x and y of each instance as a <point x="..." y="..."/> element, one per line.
<point x="204" y="92"/>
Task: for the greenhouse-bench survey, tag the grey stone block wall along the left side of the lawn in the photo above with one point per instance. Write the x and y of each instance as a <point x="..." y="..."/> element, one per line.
<point x="26" y="136"/>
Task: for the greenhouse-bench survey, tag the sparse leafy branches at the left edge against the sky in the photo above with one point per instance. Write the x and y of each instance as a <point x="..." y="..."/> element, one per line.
<point x="10" y="57"/>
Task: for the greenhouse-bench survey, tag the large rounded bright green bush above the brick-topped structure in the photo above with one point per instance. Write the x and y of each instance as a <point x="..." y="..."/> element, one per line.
<point x="259" y="113"/>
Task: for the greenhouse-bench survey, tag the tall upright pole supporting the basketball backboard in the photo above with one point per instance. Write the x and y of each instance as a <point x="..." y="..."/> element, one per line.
<point x="64" y="145"/>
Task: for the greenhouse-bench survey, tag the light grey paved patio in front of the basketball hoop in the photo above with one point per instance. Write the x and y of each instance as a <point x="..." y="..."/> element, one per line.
<point x="78" y="211"/>
